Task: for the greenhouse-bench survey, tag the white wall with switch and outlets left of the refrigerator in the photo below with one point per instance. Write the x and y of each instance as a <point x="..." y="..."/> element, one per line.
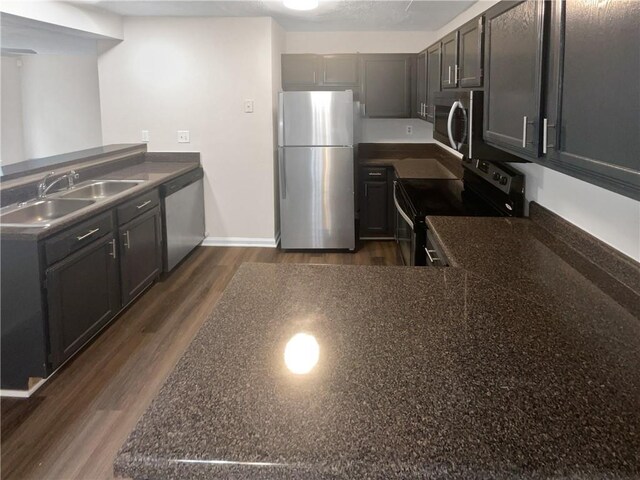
<point x="193" y="74"/>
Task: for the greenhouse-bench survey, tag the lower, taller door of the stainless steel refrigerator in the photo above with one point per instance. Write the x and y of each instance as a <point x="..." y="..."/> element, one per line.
<point x="316" y="197"/>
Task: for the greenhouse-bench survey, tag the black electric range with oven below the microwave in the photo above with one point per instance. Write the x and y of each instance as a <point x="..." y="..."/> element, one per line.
<point x="486" y="190"/>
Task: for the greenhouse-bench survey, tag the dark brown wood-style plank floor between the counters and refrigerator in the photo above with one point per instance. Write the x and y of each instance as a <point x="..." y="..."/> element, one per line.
<point x="74" y="425"/>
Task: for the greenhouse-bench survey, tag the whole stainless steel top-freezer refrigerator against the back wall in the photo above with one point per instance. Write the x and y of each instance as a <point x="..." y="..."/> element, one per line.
<point x="316" y="166"/>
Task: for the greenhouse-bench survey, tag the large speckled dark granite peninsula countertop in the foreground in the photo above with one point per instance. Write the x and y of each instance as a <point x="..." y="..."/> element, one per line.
<point x="423" y="373"/>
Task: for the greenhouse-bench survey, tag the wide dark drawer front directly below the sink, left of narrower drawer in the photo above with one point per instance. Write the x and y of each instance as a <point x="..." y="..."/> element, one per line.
<point x="69" y="241"/>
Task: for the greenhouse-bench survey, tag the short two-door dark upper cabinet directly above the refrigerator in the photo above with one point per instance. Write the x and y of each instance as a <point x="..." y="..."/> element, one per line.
<point x="321" y="72"/>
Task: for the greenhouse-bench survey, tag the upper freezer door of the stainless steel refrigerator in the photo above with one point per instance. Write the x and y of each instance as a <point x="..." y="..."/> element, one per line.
<point x="316" y="119"/>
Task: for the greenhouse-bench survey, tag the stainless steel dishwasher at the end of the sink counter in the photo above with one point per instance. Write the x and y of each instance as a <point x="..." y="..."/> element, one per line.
<point x="183" y="211"/>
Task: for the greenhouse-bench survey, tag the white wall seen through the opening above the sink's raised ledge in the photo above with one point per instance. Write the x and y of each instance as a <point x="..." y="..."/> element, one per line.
<point x="60" y="104"/>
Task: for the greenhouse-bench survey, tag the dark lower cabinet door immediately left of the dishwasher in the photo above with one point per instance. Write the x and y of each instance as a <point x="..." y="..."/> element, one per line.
<point x="141" y="259"/>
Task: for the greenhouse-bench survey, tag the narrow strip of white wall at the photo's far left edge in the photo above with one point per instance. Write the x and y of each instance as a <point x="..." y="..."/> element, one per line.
<point x="11" y="114"/>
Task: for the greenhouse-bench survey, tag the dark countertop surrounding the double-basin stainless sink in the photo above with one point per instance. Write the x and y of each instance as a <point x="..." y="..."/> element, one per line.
<point x="153" y="173"/>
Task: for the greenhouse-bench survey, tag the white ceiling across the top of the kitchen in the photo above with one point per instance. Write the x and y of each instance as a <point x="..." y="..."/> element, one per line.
<point x="344" y="15"/>
